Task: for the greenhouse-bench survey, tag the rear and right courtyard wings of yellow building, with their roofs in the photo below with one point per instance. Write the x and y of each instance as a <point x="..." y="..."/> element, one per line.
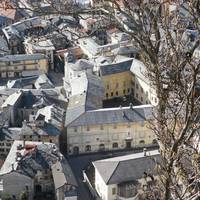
<point x="128" y="77"/>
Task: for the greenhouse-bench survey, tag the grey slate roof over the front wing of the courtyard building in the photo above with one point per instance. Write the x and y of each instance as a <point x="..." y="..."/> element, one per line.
<point x="114" y="115"/>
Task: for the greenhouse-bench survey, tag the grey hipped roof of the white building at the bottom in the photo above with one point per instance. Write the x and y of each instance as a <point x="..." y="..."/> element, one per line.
<point x="127" y="168"/>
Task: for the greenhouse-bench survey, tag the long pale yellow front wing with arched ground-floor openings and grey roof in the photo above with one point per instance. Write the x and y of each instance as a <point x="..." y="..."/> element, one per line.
<point x="109" y="129"/>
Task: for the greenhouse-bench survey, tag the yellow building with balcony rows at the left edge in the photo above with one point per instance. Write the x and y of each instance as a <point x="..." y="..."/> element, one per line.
<point x="22" y="65"/>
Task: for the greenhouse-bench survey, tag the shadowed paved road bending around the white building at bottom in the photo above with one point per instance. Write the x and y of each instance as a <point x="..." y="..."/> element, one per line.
<point x="79" y="163"/>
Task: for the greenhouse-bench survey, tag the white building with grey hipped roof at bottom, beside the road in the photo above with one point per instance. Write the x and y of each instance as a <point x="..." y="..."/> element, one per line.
<point x="123" y="177"/>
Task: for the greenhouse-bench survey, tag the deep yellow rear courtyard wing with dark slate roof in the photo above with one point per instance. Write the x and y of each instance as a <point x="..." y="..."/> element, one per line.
<point x="117" y="78"/>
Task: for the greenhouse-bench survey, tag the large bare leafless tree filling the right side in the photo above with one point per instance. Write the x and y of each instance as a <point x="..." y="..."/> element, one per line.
<point x="168" y="51"/>
